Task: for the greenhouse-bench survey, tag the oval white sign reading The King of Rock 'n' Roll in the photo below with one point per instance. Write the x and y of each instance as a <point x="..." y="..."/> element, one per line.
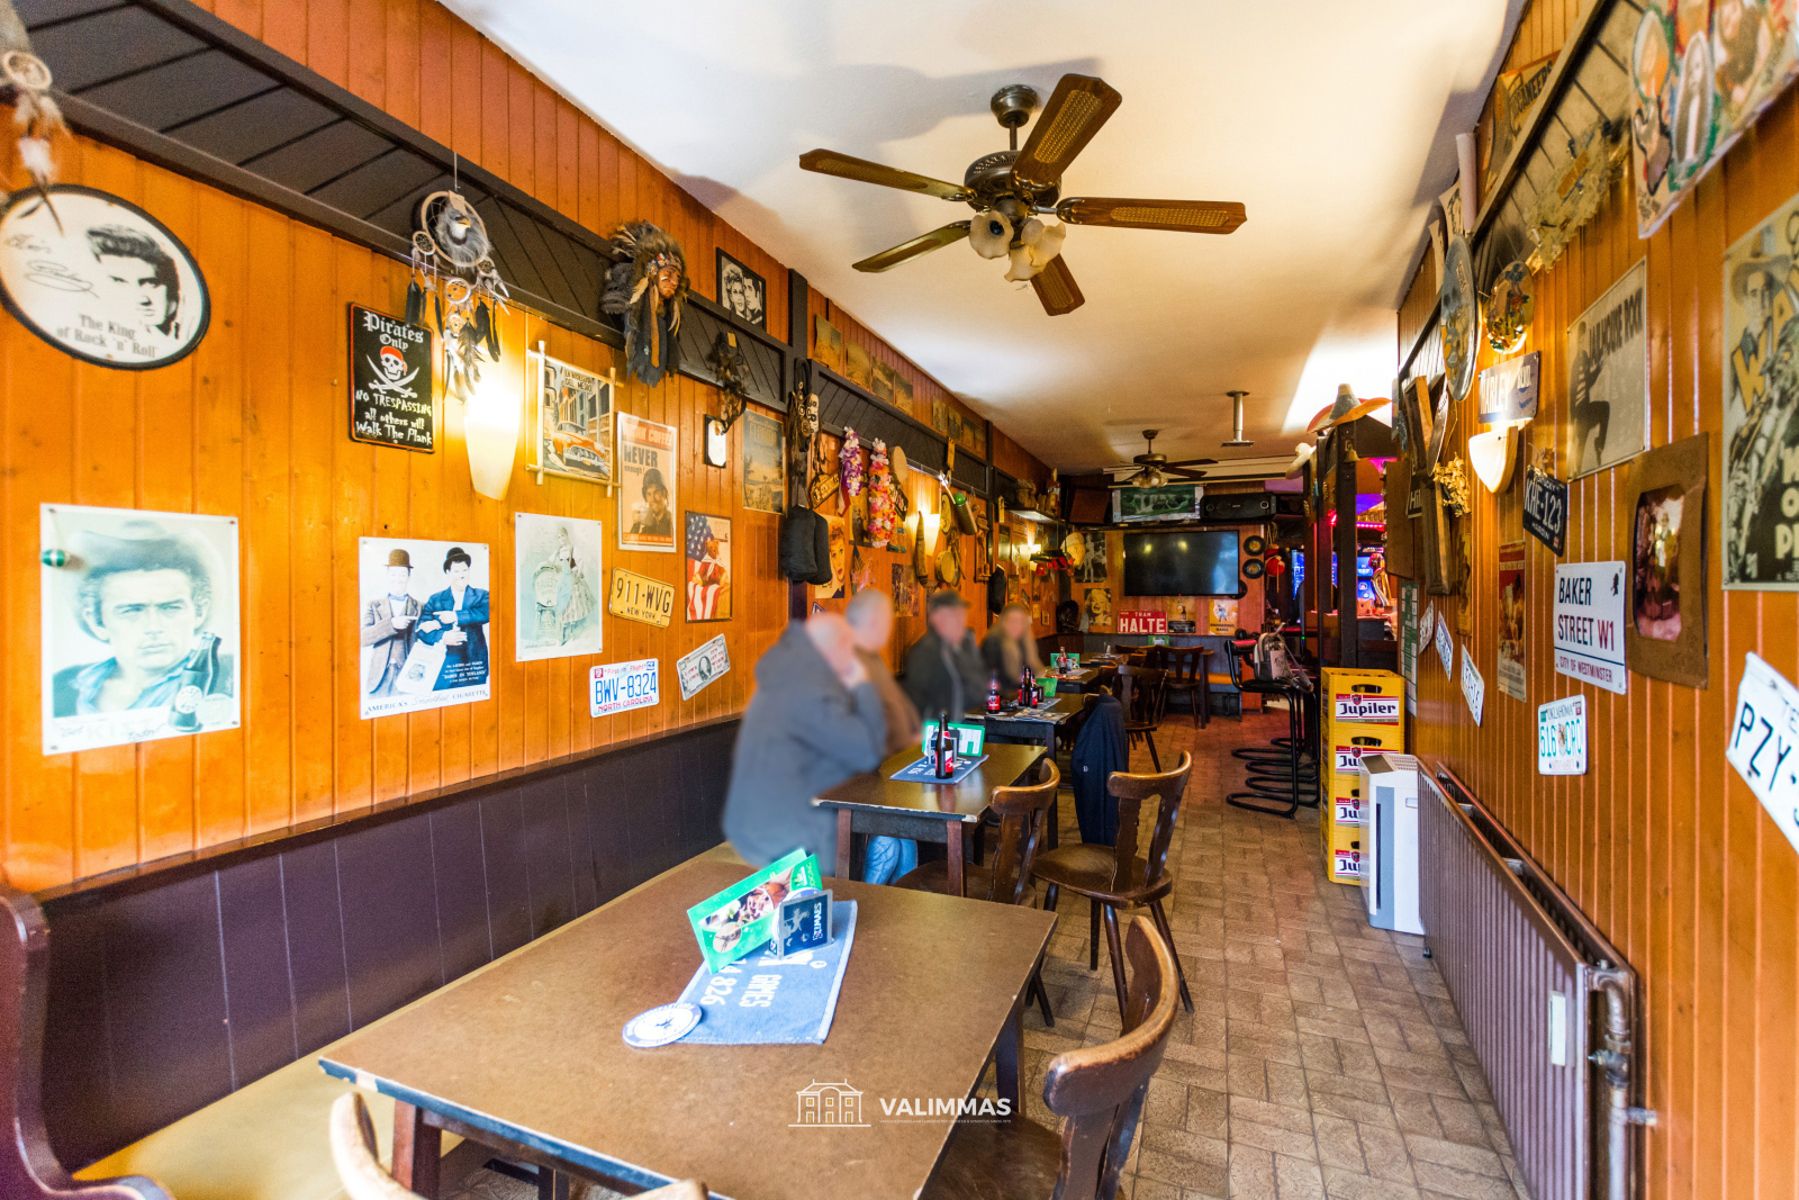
<point x="100" y="280"/>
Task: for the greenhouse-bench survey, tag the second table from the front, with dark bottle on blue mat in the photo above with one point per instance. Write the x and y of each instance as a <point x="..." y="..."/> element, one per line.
<point x="929" y="812"/>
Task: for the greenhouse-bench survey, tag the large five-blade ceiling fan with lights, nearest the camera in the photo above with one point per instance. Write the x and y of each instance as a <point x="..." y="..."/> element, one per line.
<point x="1012" y="190"/>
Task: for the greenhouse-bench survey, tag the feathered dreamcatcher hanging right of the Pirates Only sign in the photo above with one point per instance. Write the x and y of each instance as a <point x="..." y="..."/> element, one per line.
<point x="452" y="265"/>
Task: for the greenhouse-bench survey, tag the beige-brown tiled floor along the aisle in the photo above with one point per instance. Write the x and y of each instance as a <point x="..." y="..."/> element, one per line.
<point x="1323" y="1057"/>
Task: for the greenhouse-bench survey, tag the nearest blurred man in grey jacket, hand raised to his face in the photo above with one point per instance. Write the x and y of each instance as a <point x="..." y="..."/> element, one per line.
<point x="816" y="721"/>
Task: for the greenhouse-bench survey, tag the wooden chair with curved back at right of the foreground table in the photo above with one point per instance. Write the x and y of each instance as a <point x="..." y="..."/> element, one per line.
<point x="1096" y="1091"/>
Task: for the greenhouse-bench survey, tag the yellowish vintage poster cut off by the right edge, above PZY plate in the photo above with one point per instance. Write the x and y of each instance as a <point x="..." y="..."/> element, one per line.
<point x="1762" y="406"/>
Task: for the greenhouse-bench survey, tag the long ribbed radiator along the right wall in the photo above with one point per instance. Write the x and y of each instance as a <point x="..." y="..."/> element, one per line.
<point x="1548" y="1003"/>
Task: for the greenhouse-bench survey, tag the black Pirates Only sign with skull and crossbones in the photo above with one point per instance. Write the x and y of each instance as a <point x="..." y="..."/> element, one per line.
<point x="391" y="382"/>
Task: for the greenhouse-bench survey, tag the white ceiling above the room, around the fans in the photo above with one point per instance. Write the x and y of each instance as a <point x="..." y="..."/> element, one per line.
<point x="1334" y="123"/>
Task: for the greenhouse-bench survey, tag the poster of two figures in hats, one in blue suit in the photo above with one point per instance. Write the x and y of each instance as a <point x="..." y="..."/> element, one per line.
<point x="424" y="609"/>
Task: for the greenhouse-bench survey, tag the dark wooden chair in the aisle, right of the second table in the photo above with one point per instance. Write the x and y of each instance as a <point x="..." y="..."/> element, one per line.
<point x="1120" y="877"/>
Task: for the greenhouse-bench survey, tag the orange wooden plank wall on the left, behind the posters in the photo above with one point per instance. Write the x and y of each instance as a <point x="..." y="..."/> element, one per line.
<point x="255" y="425"/>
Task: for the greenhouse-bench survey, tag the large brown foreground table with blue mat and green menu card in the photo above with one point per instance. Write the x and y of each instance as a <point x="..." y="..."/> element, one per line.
<point x="526" y="1055"/>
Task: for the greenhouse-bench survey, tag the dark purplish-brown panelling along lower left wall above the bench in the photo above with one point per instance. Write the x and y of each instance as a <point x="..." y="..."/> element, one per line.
<point x="179" y="983"/>
